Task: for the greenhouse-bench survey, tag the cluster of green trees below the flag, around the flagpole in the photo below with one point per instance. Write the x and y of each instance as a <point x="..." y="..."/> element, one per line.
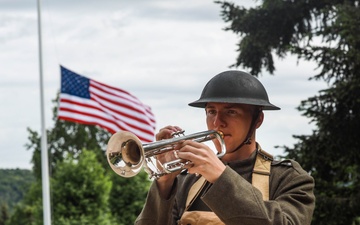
<point x="84" y="190"/>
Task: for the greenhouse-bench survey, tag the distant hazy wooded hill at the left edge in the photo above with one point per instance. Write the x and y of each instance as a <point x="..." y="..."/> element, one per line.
<point x="14" y="183"/>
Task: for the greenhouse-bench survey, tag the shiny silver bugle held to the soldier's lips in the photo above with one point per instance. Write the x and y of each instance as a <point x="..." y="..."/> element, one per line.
<point x="127" y="155"/>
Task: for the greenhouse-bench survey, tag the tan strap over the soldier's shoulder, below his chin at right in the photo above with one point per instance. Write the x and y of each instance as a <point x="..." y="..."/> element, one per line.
<point x="261" y="172"/>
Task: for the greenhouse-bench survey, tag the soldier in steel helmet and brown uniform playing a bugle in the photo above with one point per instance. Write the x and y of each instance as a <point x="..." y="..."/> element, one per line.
<point x="246" y="186"/>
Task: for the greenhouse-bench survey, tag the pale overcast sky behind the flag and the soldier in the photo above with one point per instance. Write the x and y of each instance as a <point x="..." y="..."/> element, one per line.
<point x="161" y="51"/>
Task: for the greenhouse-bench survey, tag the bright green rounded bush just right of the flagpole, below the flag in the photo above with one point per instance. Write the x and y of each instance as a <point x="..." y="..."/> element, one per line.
<point x="80" y="191"/>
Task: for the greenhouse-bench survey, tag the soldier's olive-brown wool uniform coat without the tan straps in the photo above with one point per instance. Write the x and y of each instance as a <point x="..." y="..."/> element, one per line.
<point x="235" y="201"/>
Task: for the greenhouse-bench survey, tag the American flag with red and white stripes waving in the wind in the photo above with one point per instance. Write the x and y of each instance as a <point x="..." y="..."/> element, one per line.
<point x="86" y="101"/>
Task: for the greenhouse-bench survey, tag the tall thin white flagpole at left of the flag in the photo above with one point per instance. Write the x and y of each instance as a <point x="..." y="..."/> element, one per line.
<point x="44" y="150"/>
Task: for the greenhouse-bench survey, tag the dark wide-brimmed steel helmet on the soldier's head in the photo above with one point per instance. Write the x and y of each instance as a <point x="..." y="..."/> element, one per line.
<point x="234" y="87"/>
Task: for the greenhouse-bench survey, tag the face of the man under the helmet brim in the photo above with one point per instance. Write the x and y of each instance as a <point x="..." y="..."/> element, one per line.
<point x="232" y="119"/>
